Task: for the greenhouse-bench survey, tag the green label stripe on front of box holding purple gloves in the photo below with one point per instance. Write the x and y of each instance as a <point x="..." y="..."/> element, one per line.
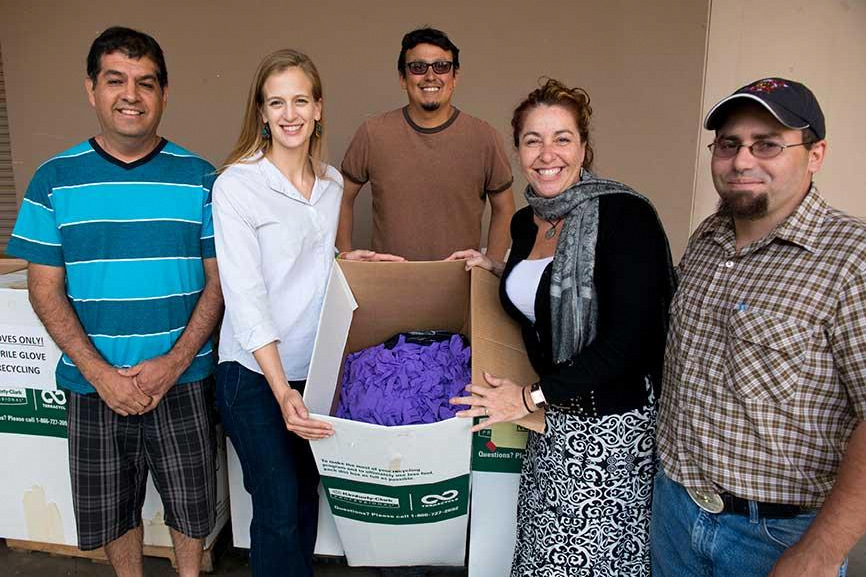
<point x="405" y="505"/>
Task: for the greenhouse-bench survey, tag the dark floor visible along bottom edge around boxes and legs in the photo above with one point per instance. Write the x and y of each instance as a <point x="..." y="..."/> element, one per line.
<point x="232" y="563"/>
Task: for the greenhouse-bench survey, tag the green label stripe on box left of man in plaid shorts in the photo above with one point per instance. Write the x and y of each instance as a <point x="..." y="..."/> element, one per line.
<point x="33" y="412"/>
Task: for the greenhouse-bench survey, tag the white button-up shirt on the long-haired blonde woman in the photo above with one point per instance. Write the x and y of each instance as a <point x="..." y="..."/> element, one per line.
<point x="275" y="250"/>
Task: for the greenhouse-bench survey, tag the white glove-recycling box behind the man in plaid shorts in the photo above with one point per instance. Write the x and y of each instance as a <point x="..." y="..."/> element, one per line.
<point x="36" y="493"/>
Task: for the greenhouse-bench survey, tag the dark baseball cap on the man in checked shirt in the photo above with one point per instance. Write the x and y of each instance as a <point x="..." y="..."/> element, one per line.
<point x="790" y="102"/>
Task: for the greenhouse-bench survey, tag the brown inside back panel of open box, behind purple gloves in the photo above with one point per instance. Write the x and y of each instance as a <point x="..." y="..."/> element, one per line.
<point x="388" y="296"/>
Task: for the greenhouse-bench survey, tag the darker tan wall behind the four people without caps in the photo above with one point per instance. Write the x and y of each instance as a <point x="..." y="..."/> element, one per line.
<point x="644" y="80"/>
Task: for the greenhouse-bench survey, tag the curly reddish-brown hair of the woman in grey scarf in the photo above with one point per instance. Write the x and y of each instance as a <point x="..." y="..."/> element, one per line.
<point x="555" y="93"/>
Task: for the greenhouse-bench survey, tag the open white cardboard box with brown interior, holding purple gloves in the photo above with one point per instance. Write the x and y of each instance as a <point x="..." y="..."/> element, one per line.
<point x="400" y="495"/>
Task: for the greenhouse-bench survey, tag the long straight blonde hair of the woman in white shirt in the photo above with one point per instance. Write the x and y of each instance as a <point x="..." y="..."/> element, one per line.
<point x="250" y="140"/>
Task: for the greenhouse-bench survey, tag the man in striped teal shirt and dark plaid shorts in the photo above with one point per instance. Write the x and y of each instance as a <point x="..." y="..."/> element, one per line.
<point x="119" y="237"/>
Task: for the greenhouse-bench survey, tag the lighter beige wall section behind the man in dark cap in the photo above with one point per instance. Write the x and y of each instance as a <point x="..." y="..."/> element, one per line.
<point x="823" y="45"/>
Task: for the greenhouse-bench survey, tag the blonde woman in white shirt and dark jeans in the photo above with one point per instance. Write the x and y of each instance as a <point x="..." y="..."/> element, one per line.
<point x="276" y="206"/>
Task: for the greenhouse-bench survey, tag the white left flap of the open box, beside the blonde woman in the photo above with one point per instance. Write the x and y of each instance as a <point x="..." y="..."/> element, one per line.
<point x="327" y="360"/>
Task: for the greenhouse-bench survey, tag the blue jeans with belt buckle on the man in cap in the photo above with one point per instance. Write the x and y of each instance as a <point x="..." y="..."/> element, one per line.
<point x="687" y="541"/>
